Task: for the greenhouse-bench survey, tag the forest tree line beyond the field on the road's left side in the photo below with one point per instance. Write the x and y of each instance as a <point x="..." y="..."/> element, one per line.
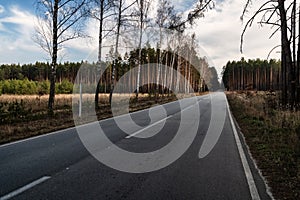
<point x="34" y="78"/>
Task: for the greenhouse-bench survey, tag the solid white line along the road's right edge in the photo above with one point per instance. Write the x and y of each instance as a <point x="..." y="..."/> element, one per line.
<point x="249" y="176"/>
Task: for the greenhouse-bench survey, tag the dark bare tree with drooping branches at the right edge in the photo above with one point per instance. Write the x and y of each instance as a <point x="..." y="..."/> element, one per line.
<point x="277" y="14"/>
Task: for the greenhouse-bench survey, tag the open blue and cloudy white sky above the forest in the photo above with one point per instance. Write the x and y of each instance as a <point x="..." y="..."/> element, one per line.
<point x="218" y="34"/>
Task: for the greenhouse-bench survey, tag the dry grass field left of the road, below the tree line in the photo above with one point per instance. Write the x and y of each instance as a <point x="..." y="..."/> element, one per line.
<point x="23" y="116"/>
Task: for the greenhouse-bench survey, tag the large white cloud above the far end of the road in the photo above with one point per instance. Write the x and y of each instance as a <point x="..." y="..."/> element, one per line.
<point x="220" y="30"/>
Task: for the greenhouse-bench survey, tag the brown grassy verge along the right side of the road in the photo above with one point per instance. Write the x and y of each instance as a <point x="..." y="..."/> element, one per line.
<point x="273" y="136"/>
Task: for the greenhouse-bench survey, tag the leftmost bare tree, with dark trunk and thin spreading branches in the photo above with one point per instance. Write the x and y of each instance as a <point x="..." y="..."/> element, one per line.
<point x="58" y="22"/>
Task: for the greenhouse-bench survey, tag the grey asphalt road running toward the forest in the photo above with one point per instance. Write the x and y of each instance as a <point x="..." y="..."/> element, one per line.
<point x="58" y="166"/>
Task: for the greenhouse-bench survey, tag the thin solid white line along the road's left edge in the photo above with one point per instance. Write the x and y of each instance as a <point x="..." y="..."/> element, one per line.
<point x="70" y="128"/>
